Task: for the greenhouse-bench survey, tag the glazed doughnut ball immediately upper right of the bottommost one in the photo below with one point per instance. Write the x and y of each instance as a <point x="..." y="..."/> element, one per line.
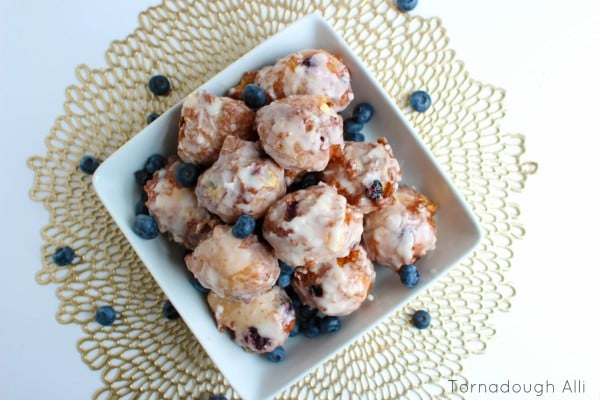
<point x="338" y="286"/>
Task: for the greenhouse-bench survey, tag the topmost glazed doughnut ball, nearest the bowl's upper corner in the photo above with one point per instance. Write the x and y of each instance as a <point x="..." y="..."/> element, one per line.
<point x="321" y="74"/>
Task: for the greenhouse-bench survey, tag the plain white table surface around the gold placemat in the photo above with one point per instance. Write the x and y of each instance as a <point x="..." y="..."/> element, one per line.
<point x="545" y="53"/>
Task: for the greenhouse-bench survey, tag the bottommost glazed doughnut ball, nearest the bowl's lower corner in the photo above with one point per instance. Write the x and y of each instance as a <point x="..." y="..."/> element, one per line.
<point x="271" y="314"/>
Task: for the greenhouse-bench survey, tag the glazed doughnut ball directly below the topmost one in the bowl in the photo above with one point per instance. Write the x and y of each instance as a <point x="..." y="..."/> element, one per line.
<point x="300" y="132"/>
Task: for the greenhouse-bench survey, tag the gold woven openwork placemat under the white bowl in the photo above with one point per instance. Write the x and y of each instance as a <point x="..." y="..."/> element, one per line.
<point x="148" y="357"/>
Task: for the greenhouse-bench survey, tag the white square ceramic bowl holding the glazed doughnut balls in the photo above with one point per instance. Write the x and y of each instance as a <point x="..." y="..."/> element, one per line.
<point x="252" y="376"/>
